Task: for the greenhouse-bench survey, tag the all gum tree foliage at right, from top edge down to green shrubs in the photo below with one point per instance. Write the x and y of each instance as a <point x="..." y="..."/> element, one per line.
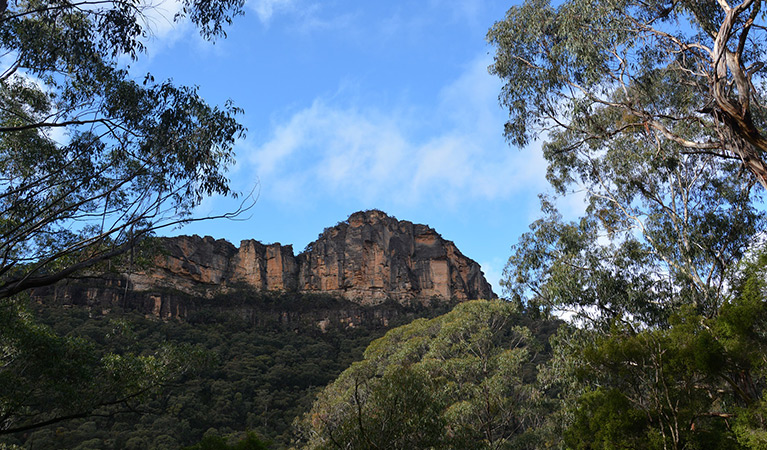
<point x="652" y="110"/>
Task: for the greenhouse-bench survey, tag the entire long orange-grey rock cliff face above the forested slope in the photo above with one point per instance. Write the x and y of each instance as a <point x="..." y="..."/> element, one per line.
<point x="367" y="259"/>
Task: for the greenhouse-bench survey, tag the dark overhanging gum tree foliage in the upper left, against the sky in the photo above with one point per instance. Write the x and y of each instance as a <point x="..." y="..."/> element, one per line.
<point x="92" y="160"/>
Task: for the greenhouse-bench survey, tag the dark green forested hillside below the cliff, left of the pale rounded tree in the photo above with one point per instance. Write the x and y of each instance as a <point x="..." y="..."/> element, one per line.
<point x="246" y="376"/>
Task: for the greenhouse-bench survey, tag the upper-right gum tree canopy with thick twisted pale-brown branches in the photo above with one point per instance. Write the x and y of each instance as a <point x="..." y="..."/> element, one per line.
<point x="681" y="72"/>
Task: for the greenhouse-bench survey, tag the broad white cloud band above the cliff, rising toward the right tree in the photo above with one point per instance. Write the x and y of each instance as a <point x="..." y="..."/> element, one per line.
<point x="367" y="154"/>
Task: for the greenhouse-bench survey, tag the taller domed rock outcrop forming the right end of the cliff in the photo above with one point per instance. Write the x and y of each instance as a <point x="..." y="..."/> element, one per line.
<point x="372" y="257"/>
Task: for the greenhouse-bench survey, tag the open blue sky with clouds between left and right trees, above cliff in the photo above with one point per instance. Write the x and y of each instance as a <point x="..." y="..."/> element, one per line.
<point x="360" y="105"/>
